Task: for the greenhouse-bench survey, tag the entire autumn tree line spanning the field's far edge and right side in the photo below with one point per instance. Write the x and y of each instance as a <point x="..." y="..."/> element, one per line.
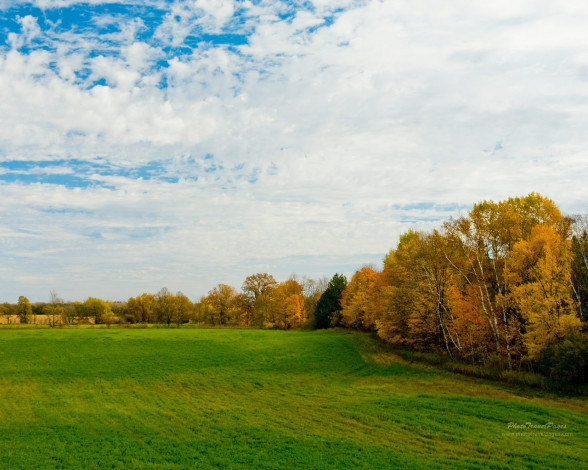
<point x="506" y="283"/>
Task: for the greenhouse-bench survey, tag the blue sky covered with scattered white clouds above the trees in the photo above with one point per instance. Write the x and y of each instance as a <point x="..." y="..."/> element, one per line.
<point x="190" y="143"/>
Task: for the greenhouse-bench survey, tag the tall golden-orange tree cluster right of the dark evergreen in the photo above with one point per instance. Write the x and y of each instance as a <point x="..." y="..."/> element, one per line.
<point x="509" y="280"/>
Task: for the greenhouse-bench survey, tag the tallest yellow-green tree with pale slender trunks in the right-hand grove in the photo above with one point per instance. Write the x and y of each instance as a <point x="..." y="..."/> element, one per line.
<point x="478" y="247"/>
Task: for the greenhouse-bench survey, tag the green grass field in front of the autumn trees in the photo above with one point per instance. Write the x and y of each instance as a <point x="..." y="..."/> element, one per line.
<point x="248" y="399"/>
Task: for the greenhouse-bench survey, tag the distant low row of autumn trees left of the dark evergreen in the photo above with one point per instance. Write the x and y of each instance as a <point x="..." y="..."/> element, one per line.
<point x="262" y="303"/>
